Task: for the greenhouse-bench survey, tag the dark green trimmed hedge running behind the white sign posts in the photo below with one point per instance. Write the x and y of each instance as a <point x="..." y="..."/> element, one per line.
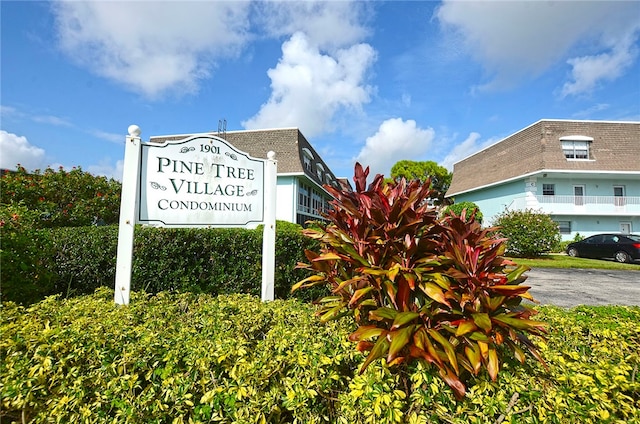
<point x="77" y="260"/>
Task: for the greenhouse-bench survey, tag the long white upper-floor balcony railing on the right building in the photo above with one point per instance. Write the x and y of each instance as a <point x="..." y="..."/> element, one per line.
<point x="580" y="205"/>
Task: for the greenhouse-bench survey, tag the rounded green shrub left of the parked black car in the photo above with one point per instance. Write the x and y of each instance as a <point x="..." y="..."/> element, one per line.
<point x="528" y="233"/>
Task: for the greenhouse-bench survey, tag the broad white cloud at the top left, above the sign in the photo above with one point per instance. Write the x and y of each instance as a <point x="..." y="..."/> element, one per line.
<point x="151" y="46"/>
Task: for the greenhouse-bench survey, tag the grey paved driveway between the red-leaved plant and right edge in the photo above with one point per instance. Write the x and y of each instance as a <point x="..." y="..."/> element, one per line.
<point x="573" y="287"/>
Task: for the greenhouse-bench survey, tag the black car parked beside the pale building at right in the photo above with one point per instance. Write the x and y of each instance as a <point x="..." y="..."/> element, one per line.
<point x="621" y="247"/>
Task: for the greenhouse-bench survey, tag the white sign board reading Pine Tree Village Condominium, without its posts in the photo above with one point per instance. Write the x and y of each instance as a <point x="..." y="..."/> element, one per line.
<point x="200" y="181"/>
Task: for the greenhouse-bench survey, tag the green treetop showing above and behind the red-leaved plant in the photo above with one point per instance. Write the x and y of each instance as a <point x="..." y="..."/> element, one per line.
<point x="424" y="171"/>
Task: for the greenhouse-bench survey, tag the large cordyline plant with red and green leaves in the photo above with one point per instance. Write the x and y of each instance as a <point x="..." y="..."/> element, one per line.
<point x="419" y="287"/>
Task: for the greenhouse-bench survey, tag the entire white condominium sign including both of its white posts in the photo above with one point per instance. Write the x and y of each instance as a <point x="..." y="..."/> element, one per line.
<point x="199" y="181"/>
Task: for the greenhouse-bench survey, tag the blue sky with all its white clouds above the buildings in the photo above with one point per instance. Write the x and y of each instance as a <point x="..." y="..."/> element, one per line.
<point x="374" y="82"/>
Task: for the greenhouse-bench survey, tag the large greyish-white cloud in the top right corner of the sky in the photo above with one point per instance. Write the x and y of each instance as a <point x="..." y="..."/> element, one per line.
<point x="518" y="40"/>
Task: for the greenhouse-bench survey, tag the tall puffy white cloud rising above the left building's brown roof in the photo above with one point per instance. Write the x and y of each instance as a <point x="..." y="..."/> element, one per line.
<point x="309" y="87"/>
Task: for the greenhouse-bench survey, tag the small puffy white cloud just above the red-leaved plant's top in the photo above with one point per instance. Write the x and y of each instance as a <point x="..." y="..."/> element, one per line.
<point x="395" y="140"/>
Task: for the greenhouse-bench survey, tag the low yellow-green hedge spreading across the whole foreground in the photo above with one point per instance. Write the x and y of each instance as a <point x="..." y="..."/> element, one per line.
<point x="174" y="358"/>
